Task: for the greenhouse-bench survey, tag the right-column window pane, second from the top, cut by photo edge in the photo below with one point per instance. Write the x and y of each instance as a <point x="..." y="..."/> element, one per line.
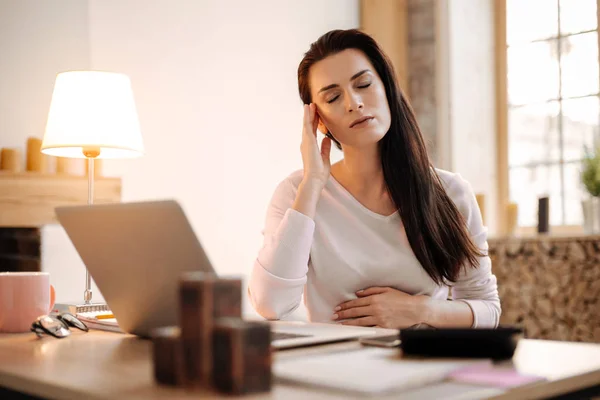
<point x="579" y="63"/>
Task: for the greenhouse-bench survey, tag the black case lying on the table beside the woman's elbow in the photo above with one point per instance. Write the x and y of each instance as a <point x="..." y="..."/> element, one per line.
<point x="499" y="343"/>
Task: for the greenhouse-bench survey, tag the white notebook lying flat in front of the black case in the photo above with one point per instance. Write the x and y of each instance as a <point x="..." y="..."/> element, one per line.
<point x="371" y="371"/>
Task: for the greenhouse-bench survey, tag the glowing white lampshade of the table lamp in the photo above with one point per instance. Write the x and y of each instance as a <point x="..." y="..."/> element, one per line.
<point x="92" y="110"/>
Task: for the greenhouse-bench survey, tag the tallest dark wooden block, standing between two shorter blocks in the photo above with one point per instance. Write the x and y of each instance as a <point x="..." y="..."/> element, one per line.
<point x="203" y="298"/>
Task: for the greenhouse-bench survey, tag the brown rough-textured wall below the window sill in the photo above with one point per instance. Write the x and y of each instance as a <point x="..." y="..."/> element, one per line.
<point x="550" y="285"/>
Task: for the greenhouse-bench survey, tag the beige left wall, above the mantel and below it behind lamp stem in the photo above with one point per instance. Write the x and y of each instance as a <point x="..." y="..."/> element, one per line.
<point x="38" y="39"/>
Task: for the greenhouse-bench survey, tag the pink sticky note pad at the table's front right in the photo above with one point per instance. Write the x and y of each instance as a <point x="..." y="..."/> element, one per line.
<point x="497" y="377"/>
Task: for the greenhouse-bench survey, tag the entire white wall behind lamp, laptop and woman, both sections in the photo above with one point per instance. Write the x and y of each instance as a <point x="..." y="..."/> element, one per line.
<point x="216" y="90"/>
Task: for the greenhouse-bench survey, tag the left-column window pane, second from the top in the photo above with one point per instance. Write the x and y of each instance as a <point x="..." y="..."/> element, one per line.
<point x="533" y="73"/>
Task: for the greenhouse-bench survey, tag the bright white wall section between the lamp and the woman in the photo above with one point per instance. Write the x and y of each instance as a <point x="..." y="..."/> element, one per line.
<point x="216" y="89"/>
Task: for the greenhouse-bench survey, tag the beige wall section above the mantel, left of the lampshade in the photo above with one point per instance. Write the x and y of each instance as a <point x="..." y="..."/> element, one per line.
<point x="37" y="40"/>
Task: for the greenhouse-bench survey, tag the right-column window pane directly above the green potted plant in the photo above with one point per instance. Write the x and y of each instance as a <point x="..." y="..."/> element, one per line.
<point x="580" y="126"/>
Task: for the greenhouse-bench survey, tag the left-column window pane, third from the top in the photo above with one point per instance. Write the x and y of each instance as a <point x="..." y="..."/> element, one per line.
<point x="533" y="134"/>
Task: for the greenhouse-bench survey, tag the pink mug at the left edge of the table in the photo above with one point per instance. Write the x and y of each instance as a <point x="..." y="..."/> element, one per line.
<point x="24" y="296"/>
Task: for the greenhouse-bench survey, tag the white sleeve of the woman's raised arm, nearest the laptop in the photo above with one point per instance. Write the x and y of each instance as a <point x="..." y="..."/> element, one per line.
<point x="279" y="273"/>
